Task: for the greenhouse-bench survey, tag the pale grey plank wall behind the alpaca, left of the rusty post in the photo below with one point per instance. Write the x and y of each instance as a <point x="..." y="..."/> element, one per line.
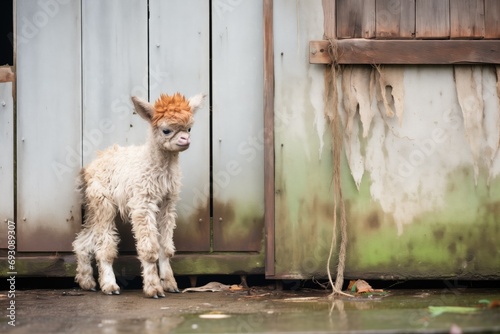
<point x="78" y="64"/>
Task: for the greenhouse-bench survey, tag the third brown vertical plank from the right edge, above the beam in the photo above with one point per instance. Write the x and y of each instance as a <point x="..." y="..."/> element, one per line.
<point x="432" y="19"/>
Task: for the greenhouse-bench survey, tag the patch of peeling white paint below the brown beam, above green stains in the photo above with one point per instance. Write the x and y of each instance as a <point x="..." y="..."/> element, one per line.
<point x="441" y="125"/>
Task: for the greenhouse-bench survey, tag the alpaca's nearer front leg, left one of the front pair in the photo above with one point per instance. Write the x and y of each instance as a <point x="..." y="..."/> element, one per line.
<point x="146" y="236"/>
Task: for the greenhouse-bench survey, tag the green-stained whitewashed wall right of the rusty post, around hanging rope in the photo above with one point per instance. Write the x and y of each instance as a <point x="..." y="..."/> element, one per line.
<point x="420" y="174"/>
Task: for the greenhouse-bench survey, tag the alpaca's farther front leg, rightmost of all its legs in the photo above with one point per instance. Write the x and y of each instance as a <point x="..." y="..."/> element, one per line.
<point x="167" y="226"/>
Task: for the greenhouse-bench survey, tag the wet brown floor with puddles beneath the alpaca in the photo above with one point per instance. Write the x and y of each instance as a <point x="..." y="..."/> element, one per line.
<point x="255" y="310"/>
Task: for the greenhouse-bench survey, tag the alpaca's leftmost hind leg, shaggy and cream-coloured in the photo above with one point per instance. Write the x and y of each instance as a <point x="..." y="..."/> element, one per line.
<point x="83" y="247"/>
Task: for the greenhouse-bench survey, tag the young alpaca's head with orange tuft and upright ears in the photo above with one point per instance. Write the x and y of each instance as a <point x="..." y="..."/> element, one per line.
<point x="170" y="118"/>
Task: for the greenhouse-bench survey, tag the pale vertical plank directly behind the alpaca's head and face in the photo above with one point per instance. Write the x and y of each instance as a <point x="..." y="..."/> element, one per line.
<point x="179" y="61"/>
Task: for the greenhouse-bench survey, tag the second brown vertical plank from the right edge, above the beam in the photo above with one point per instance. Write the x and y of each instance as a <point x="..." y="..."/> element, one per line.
<point x="467" y="19"/>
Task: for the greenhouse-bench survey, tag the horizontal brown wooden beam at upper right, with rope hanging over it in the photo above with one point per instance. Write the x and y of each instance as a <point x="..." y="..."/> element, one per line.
<point x="362" y="51"/>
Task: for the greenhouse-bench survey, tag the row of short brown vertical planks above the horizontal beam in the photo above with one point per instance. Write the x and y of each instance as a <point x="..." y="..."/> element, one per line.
<point x="420" y="19"/>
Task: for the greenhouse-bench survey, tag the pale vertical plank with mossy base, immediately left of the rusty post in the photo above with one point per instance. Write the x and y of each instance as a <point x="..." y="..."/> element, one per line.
<point x="238" y="125"/>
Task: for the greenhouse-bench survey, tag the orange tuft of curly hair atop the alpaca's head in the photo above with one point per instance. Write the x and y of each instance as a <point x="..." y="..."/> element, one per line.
<point x="174" y="109"/>
